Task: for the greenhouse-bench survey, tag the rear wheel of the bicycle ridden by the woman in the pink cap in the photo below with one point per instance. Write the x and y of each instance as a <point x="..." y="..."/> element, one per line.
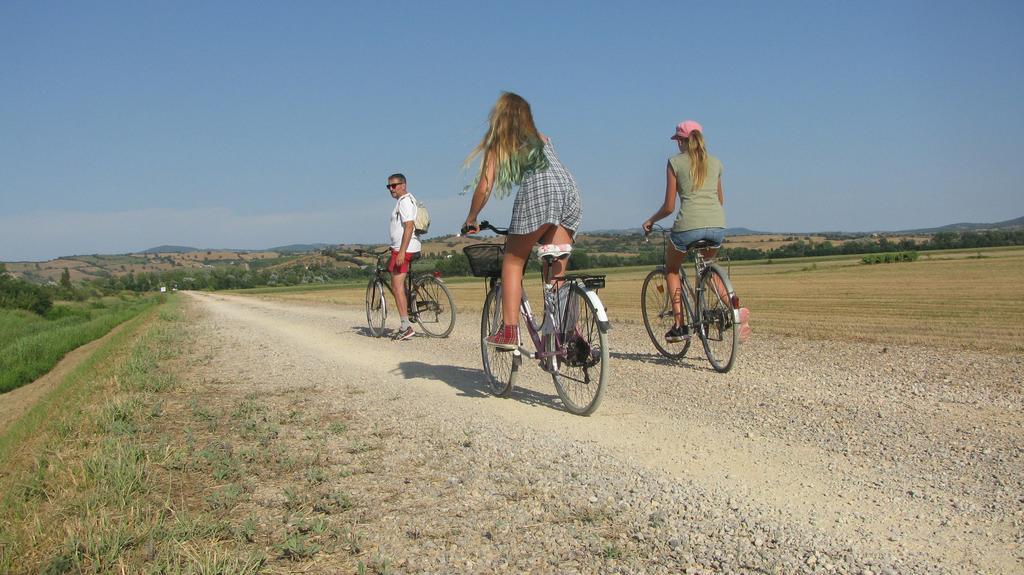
<point x="717" y="320"/>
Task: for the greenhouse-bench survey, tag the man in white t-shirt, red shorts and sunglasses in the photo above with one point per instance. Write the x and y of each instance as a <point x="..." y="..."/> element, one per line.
<point x="405" y="248"/>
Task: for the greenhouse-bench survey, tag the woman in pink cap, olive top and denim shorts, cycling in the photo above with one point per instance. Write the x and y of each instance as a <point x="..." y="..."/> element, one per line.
<point x="696" y="178"/>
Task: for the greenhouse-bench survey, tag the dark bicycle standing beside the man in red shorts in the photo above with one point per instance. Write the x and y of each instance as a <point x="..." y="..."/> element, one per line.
<point x="431" y="303"/>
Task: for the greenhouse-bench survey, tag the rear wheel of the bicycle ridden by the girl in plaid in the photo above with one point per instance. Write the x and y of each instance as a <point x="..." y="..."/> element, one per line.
<point x="583" y="367"/>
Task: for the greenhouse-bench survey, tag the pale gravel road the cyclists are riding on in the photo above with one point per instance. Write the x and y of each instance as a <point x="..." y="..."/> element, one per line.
<point x="815" y="457"/>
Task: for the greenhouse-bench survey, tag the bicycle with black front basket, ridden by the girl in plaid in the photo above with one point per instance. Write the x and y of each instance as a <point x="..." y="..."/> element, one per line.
<point x="571" y="343"/>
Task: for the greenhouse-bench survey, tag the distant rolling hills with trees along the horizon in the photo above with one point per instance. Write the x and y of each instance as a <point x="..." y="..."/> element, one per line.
<point x="162" y="258"/>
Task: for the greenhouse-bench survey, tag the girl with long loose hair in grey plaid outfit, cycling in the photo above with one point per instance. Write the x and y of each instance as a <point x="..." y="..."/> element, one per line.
<point x="547" y="208"/>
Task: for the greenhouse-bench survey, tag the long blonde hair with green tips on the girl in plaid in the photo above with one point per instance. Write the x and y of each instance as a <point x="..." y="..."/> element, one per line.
<point x="513" y="142"/>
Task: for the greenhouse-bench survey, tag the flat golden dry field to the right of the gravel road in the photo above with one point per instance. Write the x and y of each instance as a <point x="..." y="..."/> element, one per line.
<point x="950" y="300"/>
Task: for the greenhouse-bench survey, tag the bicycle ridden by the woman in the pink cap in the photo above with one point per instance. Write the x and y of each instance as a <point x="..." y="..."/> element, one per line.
<point x="711" y="311"/>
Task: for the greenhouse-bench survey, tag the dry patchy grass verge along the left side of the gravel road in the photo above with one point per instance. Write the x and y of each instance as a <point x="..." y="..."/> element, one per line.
<point x="123" y="467"/>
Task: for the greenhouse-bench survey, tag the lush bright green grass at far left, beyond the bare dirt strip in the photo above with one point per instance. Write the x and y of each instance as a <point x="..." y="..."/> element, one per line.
<point x="31" y="346"/>
